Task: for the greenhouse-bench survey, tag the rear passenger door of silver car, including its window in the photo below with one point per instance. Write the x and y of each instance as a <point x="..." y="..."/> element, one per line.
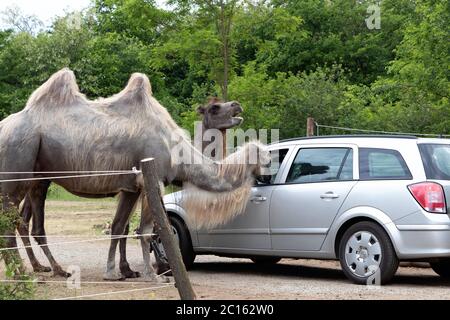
<point x="314" y="187"/>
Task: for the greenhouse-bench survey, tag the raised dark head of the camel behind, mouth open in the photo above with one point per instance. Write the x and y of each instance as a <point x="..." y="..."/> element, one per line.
<point x="220" y="115"/>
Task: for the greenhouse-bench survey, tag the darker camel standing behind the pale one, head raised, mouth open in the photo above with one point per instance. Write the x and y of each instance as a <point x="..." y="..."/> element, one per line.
<point x="216" y="114"/>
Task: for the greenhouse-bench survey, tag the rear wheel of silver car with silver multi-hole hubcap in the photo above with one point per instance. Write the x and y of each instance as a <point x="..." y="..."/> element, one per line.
<point x="367" y="255"/>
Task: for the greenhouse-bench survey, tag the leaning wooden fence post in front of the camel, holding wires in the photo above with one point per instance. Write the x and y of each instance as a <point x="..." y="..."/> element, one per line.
<point x="156" y="205"/>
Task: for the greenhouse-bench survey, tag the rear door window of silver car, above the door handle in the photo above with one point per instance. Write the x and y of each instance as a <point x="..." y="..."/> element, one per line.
<point x="321" y="164"/>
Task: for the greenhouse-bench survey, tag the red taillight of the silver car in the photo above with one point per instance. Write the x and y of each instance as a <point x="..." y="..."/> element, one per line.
<point x="430" y="196"/>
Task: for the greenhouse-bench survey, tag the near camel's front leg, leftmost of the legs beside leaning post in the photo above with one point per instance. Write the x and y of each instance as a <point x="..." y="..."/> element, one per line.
<point x="127" y="202"/>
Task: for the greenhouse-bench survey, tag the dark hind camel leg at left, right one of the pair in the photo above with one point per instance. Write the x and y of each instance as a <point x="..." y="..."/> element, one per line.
<point x="37" y="196"/>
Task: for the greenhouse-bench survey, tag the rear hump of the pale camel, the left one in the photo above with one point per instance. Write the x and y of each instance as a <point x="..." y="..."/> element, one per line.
<point x="59" y="90"/>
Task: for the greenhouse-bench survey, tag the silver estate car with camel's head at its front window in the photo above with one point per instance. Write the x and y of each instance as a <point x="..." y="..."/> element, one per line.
<point x="369" y="201"/>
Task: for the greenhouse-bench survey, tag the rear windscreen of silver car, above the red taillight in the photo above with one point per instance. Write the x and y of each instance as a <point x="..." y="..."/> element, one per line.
<point x="436" y="160"/>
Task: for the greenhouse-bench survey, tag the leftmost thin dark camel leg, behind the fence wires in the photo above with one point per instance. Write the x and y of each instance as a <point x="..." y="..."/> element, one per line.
<point x="24" y="233"/>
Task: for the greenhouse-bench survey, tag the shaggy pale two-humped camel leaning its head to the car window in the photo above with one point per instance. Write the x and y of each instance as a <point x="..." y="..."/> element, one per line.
<point x="60" y="130"/>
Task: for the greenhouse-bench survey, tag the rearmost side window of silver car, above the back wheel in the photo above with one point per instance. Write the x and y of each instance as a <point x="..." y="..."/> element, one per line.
<point x="382" y="164"/>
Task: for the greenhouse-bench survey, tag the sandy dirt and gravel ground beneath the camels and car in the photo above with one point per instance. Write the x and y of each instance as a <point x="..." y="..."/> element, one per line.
<point x="68" y="222"/>
